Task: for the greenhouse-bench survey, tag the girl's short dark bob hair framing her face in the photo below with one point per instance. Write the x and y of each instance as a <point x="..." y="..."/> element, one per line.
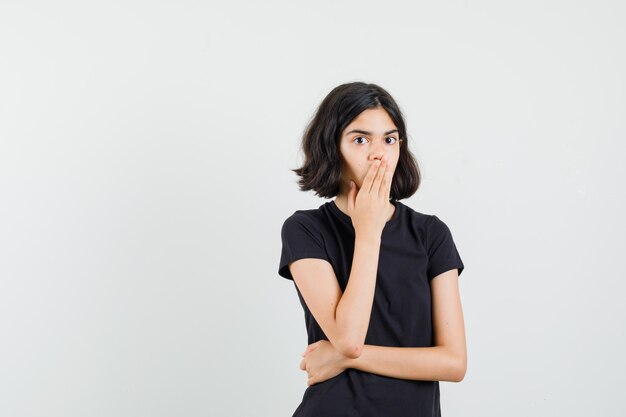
<point x="322" y="168"/>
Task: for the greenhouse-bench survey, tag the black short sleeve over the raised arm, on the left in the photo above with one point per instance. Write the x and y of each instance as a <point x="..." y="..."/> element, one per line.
<point x="301" y="238"/>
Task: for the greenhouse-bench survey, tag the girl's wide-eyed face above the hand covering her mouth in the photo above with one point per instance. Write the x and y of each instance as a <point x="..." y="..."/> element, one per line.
<point x="370" y="136"/>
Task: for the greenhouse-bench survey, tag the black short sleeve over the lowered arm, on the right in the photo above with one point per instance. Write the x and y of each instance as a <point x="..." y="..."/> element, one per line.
<point x="442" y="252"/>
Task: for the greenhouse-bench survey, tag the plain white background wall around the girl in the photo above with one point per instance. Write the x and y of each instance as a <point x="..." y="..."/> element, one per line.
<point x="144" y="177"/>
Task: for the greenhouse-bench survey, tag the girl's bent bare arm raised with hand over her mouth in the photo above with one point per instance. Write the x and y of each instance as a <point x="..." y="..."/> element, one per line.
<point x="344" y="317"/>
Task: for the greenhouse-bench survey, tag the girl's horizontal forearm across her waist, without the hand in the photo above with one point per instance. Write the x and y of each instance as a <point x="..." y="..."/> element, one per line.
<point x="434" y="363"/>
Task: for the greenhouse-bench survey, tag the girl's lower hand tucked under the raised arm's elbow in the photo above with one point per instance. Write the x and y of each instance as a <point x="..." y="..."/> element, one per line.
<point x="322" y="361"/>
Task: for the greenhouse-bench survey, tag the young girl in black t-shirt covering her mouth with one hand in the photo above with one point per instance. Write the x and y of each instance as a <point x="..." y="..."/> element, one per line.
<point x="378" y="281"/>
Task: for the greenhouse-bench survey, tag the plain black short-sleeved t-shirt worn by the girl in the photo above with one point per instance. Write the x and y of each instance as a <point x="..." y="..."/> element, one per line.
<point x="415" y="247"/>
